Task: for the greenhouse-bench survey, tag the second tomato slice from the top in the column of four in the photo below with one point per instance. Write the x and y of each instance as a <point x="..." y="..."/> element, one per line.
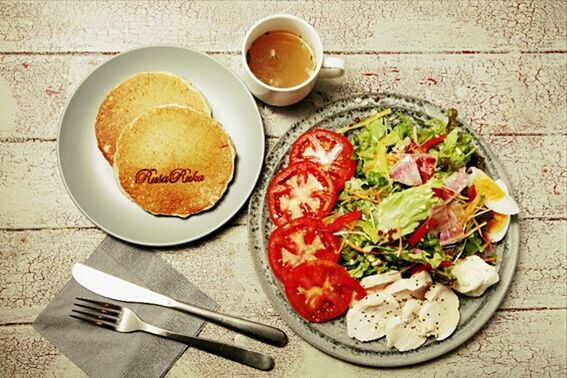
<point x="301" y="189"/>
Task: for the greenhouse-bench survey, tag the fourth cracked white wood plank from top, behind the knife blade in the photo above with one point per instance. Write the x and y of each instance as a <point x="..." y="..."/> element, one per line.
<point x="36" y="264"/>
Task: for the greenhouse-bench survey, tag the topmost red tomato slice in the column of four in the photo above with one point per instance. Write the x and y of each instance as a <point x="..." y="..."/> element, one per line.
<point x="330" y="150"/>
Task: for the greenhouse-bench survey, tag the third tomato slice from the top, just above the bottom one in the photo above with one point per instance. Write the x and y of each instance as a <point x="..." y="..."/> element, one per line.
<point x="303" y="239"/>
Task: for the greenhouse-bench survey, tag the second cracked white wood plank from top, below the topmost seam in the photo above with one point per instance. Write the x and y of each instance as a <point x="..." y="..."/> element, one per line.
<point x="494" y="94"/>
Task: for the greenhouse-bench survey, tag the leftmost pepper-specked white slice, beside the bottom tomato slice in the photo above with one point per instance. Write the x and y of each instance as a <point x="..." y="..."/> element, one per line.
<point x="366" y="320"/>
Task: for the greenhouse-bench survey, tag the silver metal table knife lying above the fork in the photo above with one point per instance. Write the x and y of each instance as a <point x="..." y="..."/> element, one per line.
<point x="118" y="289"/>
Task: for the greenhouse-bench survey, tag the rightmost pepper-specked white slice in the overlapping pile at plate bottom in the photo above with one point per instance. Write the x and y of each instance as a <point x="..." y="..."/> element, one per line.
<point x="439" y="314"/>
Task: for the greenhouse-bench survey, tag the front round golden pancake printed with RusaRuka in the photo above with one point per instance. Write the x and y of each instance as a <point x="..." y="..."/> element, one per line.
<point x="213" y="155"/>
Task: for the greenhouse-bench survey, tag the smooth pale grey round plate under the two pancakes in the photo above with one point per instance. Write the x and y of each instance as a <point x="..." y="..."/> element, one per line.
<point x="89" y="178"/>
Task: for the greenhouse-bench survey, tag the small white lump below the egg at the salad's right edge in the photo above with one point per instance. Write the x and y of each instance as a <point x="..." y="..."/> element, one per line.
<point x="473" y="276"/>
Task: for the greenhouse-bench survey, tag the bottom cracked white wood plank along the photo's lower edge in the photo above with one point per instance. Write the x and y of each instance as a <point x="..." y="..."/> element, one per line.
<point x="513" y="344"/>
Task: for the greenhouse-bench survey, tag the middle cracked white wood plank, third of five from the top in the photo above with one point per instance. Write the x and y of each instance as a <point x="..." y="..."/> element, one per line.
<point x="33" y="195"/>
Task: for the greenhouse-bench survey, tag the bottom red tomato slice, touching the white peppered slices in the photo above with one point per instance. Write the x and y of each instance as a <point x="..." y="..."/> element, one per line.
<point x="321" y="290"/>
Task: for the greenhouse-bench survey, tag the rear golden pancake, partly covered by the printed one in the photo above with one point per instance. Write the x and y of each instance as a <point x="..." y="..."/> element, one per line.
<point x="134" y="96"/>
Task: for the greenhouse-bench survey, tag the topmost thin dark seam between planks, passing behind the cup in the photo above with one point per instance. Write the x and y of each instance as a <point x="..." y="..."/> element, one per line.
<point x="333" y="52"/>
